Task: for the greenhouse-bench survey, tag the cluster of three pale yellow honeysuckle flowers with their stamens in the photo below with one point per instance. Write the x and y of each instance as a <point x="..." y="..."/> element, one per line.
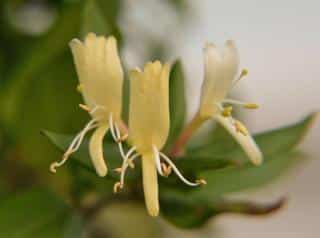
<point x="100" y="74"/>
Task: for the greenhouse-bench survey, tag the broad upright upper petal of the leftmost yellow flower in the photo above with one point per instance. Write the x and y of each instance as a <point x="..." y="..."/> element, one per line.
<point x="100" y="73"/>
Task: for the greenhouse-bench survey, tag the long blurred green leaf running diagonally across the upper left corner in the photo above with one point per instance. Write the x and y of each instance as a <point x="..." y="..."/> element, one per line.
<point x="46" y="49"/>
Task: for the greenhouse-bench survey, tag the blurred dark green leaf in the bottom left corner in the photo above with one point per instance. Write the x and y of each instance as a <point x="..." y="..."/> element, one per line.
<point x="37" y="213"/>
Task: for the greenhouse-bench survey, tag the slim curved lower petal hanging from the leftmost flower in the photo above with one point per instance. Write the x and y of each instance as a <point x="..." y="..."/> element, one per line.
<point x="96" y="150"/>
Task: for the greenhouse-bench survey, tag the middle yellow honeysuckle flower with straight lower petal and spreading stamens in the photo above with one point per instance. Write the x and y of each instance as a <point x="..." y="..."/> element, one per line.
<point x="149" y="127"/>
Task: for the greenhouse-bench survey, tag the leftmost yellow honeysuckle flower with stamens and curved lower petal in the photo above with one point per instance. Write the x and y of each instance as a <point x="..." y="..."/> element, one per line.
<point x="100" y="74"/>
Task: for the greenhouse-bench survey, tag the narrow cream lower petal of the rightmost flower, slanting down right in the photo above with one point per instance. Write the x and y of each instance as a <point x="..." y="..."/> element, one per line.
<point x="246" y="141"/>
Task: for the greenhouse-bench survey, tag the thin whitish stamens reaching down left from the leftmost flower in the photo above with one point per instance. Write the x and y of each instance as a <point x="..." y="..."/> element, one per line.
<point x="74" y="146"/>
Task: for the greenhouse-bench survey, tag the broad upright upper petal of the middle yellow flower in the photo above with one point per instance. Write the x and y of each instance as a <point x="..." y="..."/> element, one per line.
<point x="149" y="106"/>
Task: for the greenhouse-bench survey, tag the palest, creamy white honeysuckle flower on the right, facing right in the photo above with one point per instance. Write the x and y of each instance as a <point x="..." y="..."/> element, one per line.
<point x="221" y="68"/>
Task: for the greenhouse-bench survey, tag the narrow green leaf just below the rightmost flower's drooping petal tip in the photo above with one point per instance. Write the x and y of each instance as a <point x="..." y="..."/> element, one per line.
<point x="234" y="179"/>
